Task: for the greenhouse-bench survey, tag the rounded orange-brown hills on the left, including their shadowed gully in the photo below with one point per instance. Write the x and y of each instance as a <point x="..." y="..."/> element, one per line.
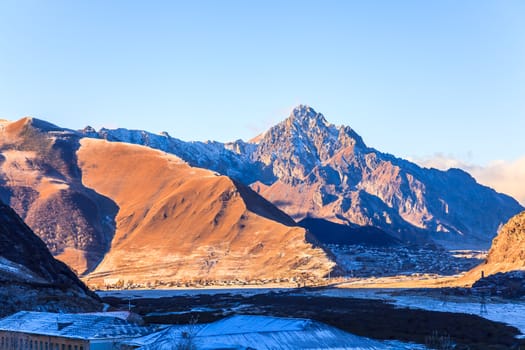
<point x="116" y="211"/>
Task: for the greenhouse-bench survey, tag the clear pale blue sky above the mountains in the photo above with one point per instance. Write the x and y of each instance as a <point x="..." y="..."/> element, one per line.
<point x="414" y="78"/>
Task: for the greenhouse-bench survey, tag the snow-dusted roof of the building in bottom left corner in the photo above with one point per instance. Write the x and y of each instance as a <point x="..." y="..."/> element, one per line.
<point x="77" y="326"/>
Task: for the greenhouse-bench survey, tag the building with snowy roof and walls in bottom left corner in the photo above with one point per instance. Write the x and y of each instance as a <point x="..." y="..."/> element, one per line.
<point x="52" y="331"/>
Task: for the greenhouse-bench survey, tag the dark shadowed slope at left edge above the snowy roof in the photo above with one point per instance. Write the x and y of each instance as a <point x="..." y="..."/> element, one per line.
<point x="30" y="278"/>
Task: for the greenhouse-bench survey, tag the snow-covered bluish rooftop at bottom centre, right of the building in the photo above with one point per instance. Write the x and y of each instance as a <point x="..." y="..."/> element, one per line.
<point x="263" y="332"/>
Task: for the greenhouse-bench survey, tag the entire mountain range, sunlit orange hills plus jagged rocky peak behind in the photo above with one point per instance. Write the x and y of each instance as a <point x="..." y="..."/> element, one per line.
<point x="129" y="205"/>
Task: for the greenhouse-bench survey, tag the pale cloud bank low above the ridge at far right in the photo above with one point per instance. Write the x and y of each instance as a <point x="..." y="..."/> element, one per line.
<point x="504" y="176"/>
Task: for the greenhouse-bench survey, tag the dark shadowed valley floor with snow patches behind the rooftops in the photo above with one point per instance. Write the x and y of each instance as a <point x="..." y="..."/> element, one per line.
<point x="408" y="315"/>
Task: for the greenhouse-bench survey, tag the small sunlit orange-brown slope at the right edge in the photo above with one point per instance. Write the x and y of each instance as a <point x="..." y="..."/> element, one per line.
<point x="507" y="252"/>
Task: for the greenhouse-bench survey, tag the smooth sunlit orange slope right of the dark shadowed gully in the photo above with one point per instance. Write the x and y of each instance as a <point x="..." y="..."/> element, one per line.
<point x="181" y="223"/>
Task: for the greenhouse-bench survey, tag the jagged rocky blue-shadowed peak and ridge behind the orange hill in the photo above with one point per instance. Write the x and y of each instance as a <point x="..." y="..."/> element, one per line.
<point x="310" y="168"/>
